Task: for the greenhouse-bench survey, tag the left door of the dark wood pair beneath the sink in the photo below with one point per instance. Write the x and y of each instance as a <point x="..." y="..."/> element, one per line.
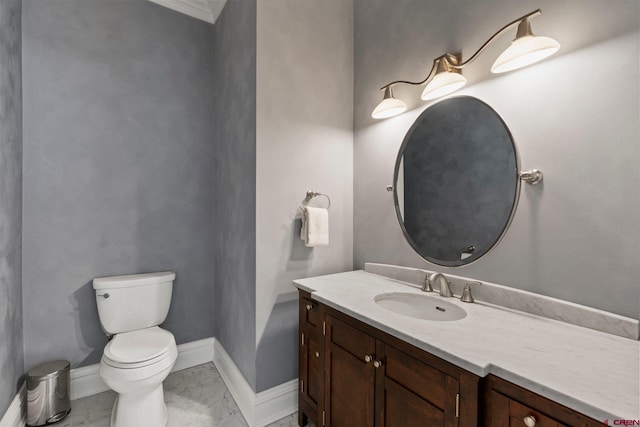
<point x="350" y="376"/>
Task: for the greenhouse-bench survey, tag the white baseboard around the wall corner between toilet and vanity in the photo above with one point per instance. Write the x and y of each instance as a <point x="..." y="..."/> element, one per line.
<point x="258" y="409"/>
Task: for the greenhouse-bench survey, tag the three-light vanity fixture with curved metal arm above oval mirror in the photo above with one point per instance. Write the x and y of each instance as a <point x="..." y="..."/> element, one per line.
<point x="446" y="76"/>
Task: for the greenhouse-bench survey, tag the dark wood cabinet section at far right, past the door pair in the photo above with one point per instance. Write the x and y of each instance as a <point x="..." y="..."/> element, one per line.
<point x="507" y="405"/>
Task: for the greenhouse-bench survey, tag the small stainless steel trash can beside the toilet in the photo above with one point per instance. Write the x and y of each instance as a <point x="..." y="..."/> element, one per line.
<point x="48" y="393"/>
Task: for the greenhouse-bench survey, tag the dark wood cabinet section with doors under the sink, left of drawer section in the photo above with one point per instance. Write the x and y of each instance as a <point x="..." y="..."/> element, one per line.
<point x="372" y="379"/>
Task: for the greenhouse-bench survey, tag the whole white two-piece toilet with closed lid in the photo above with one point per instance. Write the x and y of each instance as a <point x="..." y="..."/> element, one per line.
<point x="140" y="354"/>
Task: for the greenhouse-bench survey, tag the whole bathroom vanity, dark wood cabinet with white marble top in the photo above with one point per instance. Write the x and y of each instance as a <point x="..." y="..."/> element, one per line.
<point x="363" y="365"/>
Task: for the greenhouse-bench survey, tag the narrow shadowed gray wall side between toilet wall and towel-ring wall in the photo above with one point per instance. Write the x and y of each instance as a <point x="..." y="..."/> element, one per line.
<point x="235" y="183"/>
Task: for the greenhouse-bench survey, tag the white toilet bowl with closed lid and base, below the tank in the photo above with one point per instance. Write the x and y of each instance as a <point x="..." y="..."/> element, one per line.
<point x="134" y="365"/>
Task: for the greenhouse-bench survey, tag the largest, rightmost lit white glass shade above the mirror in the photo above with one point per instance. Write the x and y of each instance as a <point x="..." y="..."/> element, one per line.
<point x="525" y="51"/>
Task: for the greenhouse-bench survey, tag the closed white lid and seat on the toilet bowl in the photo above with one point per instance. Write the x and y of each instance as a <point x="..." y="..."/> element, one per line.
<point x="138" y="348"/>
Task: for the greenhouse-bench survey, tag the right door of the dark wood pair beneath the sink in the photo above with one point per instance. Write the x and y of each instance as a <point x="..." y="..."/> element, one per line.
<point x="413" y="393"/>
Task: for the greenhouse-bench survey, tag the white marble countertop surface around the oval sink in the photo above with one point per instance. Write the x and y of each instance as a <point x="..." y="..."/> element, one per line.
<point x="592" y="372"/>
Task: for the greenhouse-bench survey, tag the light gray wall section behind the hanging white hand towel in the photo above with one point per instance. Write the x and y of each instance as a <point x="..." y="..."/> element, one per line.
<point x="304" y="142"/>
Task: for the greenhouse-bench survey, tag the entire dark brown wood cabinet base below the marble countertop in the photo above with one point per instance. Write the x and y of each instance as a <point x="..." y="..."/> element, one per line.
<point x="354" y="375"/>
